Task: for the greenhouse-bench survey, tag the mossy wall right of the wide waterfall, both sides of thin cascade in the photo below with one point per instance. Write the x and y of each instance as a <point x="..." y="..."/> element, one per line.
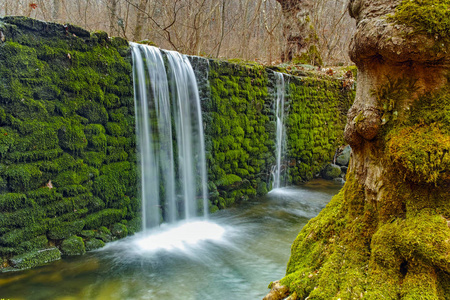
<point x="241" y="128"/>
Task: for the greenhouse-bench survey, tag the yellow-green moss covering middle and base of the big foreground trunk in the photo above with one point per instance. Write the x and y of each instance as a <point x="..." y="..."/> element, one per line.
<point x="394" y="247"/>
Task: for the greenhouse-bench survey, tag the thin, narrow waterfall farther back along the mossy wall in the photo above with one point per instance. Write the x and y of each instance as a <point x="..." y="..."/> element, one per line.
<point x="280" y="130"/>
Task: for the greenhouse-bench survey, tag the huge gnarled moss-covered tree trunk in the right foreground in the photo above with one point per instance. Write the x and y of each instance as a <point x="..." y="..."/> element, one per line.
<point x="386" y="235"/>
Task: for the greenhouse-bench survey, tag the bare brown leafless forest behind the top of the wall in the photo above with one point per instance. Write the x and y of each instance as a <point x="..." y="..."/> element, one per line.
<point x="267" y="31"/>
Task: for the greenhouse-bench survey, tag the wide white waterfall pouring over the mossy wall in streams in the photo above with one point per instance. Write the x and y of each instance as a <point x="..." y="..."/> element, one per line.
<point x="168" y="124"/>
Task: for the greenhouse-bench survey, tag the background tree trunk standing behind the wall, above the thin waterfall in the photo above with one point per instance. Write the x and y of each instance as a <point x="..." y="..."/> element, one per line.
<point x="296" y="28"/>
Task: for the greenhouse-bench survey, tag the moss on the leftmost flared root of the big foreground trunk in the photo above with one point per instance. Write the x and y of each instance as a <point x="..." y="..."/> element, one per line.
<point x="329" y="258"/>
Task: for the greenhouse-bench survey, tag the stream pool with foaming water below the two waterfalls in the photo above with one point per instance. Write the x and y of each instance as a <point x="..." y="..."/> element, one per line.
<point x="234" y="254"/>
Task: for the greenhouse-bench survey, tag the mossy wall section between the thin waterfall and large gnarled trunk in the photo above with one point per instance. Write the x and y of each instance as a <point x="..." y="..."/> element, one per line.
<point x="315" y="122"/>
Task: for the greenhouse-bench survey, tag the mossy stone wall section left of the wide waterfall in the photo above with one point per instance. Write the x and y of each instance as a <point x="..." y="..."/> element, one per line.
<point x="67" y="158"/>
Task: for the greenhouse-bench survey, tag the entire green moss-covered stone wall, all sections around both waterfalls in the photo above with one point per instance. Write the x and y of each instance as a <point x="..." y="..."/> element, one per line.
<point x="68" y="171"/>
